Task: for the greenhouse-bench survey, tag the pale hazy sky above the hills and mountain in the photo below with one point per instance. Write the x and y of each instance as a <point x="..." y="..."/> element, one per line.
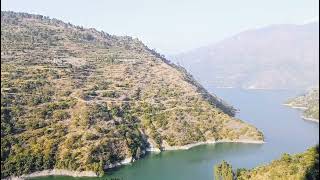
<point x="172" y="26"/>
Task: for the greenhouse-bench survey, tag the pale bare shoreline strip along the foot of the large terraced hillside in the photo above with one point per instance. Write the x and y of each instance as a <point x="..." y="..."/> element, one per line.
<point x="64" y="172"/>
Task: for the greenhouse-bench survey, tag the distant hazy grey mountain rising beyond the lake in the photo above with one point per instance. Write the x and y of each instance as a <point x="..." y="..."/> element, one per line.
<point x="274" y="57"/>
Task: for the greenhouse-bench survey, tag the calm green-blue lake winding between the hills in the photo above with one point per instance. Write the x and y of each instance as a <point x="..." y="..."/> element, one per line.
<point x="283" y="128"/>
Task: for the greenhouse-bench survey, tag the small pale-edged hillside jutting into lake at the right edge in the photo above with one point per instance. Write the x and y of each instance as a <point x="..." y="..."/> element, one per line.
<point x="309" y="102"/>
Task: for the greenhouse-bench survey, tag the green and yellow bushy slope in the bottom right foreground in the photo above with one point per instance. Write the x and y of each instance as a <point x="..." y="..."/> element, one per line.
<point x="299" y="166"/>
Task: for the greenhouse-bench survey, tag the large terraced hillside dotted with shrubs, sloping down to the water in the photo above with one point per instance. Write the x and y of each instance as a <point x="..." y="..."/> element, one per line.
<point x="80" y="99"/>
